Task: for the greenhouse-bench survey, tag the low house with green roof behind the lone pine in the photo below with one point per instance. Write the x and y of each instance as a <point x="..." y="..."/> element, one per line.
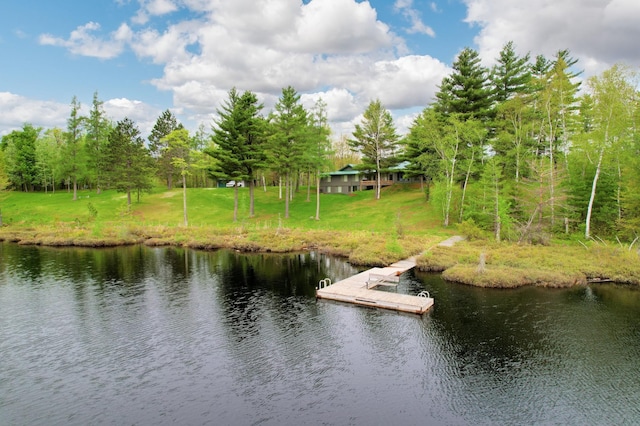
<point x="348" y="179"/>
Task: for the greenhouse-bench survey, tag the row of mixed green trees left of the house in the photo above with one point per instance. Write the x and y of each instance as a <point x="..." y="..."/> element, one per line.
<point x="288" y="145"/>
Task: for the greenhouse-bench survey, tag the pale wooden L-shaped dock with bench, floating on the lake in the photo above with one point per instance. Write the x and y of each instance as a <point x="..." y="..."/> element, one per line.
<point x="360" y="289"/>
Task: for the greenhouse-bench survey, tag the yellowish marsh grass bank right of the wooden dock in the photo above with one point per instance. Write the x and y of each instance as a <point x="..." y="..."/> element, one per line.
<point x="505" y="265"/>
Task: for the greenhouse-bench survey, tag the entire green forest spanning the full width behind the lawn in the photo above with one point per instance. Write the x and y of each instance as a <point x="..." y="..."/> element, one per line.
<point x="526" y="150"/>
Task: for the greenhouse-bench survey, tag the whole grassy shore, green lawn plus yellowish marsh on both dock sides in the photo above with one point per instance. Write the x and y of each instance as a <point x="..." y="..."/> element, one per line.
<point x="358" y="227"/>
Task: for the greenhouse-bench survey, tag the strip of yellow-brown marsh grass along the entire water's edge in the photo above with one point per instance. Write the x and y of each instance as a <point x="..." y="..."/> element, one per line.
<point x="505" y="265"/>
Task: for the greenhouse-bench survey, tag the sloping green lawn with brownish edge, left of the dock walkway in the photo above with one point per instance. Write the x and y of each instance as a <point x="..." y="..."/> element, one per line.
<point x="358" y="227"/>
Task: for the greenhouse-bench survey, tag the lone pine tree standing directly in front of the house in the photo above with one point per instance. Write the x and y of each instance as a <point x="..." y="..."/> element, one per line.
<point x="375" y="138"/>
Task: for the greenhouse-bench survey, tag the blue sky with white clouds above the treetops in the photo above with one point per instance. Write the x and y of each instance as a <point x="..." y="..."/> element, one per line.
<point x="145" y="56"/>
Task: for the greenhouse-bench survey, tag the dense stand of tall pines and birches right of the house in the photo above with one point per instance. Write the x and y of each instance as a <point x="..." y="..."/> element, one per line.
<point x="520" y="150"/>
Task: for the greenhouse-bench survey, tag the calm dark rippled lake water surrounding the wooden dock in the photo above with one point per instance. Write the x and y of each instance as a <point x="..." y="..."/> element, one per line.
<point x="153" y="336"/>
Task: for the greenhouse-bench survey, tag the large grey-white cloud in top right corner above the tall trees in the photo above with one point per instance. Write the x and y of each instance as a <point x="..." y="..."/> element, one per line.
<point x="599" y="33"/>
